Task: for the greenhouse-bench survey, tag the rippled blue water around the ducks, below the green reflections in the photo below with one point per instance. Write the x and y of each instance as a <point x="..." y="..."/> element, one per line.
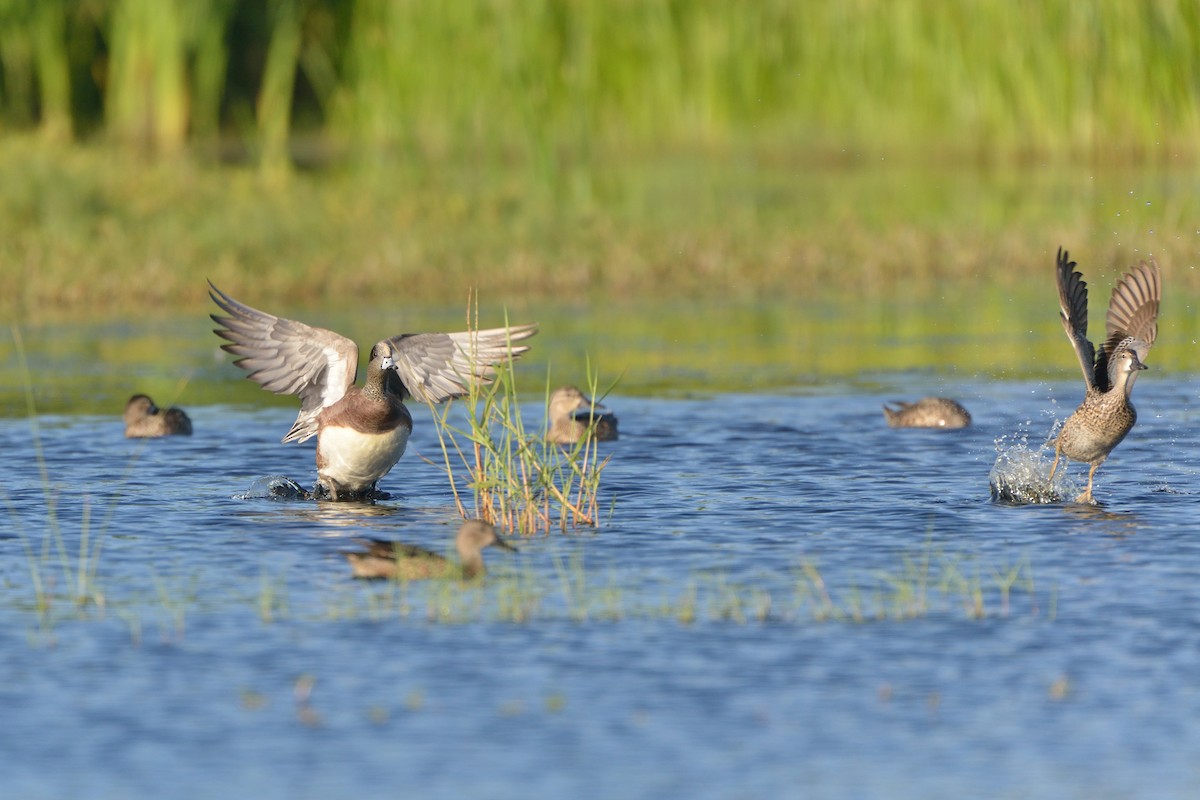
<point x="784" y="599"/>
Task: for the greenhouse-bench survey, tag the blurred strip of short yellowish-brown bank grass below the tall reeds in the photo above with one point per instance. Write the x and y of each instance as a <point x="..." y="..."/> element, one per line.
<point x="85" y="234"/>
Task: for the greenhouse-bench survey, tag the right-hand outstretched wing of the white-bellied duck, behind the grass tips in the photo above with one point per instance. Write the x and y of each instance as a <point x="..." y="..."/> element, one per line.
<point x="435" y="368"/>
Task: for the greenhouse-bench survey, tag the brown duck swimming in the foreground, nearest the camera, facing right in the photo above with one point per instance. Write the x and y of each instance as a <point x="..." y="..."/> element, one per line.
<point x="401" y="562"/>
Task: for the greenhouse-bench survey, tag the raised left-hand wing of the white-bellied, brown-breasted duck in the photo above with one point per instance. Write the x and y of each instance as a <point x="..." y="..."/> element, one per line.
<point x="289" y="358"/>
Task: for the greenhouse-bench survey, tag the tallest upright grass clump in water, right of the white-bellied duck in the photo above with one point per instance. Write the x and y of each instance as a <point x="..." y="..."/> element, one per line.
<point x="514" y="478"/>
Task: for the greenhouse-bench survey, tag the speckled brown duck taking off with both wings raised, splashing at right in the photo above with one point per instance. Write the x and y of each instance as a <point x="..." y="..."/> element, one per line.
<point x="1106" y="416"/>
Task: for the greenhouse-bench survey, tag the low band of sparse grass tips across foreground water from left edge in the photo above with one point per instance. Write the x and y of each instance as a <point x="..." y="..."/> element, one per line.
<point x="927" y="582"/>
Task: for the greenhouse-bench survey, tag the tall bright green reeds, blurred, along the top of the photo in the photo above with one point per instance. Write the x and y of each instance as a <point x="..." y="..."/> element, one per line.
<point x="557" y="83"/>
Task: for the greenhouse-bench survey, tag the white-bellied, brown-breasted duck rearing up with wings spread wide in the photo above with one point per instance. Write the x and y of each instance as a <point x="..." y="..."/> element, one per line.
<point x="362" y="431"/>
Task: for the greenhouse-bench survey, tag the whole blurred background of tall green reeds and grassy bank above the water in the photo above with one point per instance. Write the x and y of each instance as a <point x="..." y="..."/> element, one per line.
<point x="583" y="151"/>
